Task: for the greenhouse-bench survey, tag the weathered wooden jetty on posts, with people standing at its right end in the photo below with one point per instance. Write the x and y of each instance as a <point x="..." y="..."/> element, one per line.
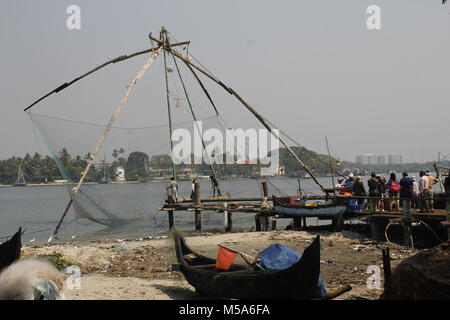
<point x="407" y="219"/>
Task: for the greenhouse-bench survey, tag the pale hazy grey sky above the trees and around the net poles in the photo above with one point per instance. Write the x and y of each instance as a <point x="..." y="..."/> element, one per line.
<point x="312" y="67"/>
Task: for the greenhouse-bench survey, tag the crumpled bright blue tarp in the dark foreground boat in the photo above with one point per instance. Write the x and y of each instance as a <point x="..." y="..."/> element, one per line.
<point x="278" y="257"/>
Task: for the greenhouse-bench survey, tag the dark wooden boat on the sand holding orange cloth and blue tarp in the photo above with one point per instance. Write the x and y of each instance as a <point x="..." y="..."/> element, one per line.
<point x="243" y="282"/>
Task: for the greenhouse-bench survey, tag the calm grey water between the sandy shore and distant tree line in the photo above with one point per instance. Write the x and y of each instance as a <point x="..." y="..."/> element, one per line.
<point x="39" y="208"/>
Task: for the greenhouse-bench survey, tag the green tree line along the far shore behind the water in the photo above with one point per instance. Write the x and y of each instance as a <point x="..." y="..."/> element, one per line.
<point x="41" y="169"/>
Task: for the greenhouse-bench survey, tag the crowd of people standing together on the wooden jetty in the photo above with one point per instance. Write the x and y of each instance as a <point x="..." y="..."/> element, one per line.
<point x="412" y="193"/>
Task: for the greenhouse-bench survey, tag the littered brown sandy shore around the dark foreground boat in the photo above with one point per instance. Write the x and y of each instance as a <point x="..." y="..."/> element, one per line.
<point x="141" y="268"/>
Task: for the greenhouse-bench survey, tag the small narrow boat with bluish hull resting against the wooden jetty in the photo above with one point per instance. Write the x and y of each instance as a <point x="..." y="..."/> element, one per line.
<point x="324" y="210"/>
